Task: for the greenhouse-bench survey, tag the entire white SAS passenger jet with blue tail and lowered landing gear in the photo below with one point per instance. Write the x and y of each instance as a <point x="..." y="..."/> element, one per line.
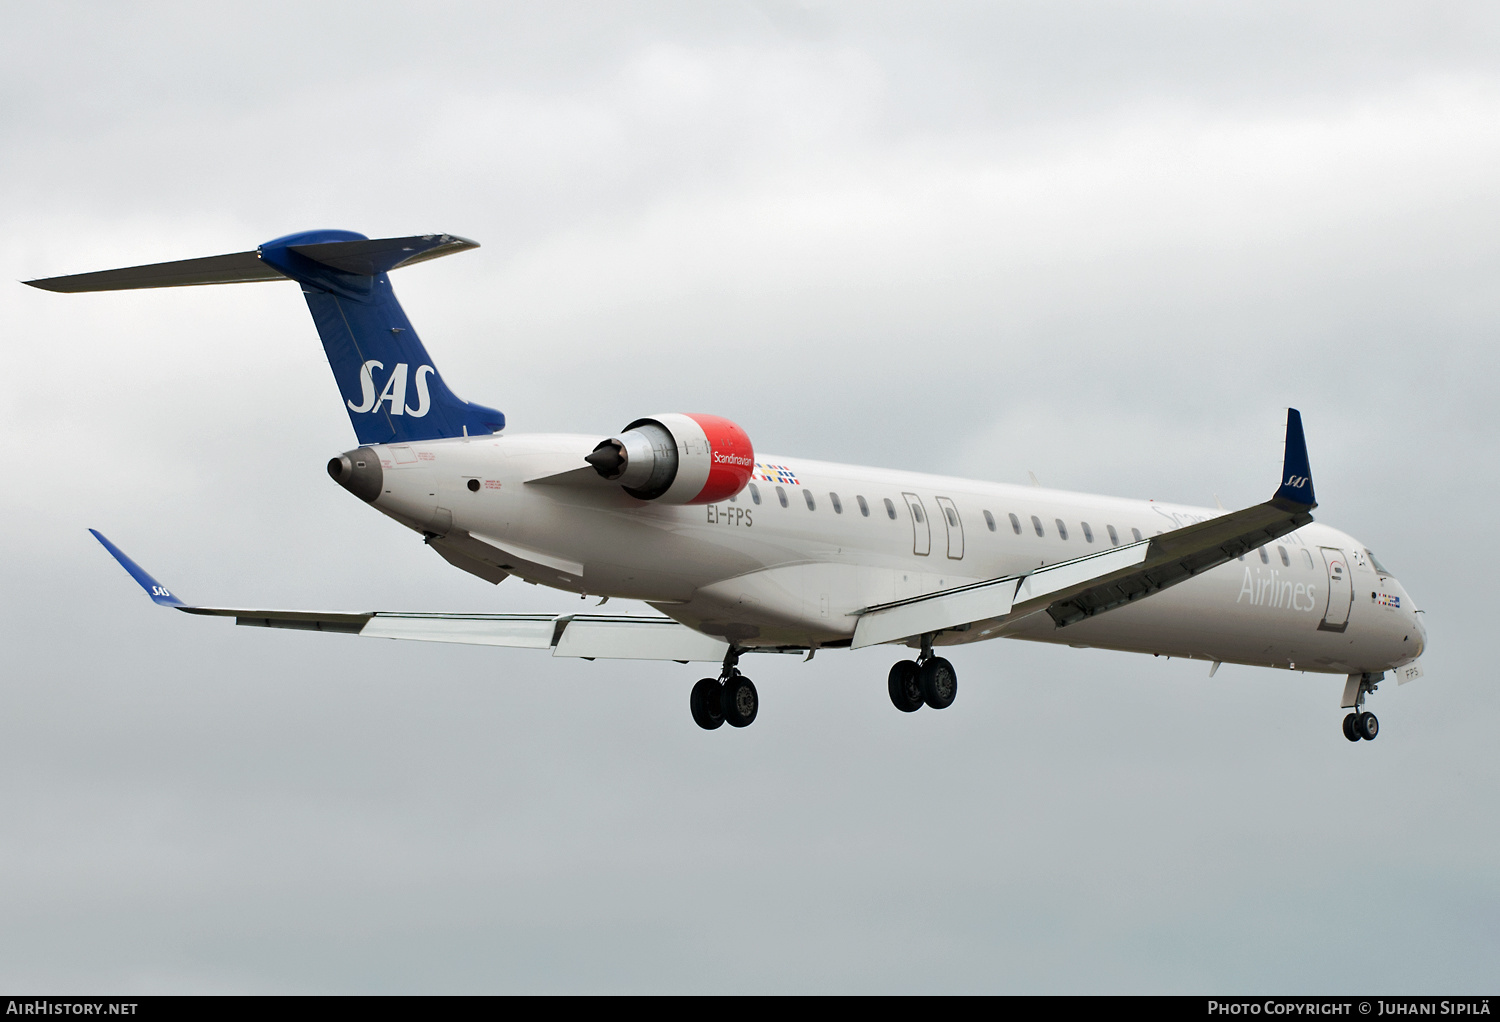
<point x="751" y="553"/>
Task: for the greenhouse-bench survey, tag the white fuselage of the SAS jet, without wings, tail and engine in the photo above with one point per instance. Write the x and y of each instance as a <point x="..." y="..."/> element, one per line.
<point x="764" y="574"/>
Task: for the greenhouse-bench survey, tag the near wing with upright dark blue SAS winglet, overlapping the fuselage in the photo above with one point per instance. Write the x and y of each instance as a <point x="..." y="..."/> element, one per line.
<point x="1075" y="591"/>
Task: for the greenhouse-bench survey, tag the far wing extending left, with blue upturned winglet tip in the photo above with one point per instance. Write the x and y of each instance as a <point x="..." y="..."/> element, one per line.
<point x="592" y="637"/>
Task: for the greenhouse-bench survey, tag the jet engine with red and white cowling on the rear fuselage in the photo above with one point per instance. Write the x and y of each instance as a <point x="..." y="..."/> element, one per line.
<point x="677" y="458"/>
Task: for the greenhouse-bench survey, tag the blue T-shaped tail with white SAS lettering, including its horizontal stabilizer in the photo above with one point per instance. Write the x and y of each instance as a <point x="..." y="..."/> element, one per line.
<point x="388" y="380"/>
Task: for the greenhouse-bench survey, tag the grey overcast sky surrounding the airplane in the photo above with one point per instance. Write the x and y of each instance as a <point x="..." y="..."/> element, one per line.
<point x="1109" y="244"/>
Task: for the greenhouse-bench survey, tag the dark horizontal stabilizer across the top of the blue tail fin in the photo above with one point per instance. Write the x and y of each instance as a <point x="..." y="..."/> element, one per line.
<point x="362" y="257"/>
